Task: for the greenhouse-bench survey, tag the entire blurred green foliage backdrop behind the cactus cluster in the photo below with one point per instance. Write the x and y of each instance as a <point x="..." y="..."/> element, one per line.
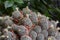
<point x="46" y="7"/>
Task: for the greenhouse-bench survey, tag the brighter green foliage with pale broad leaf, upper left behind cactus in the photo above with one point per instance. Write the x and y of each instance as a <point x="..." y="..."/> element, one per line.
<point x="7" y="6"/>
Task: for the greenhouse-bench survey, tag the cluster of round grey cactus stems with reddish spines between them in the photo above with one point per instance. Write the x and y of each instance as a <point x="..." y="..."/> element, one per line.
<point x="28" y="25"/>
